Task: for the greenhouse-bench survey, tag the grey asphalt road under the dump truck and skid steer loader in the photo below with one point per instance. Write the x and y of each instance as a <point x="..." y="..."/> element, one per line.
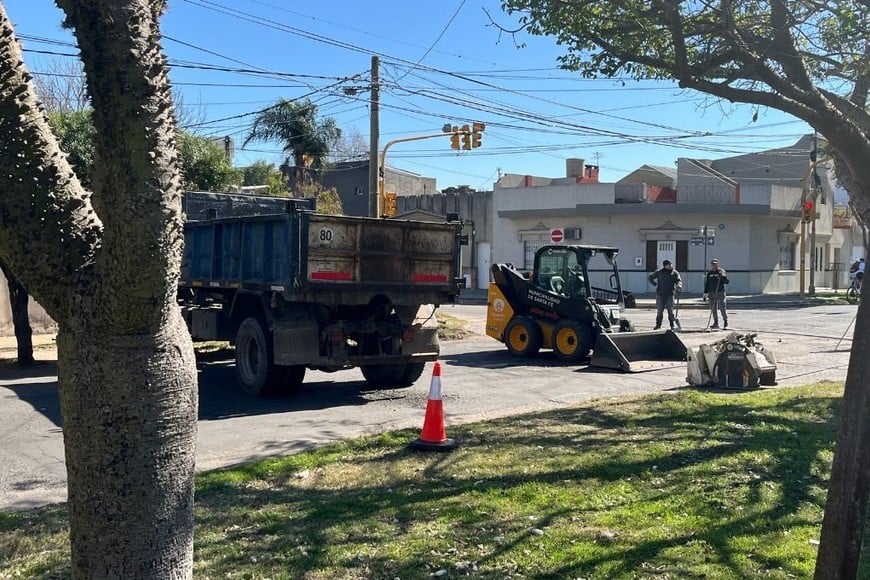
<point x="479" y="379"/>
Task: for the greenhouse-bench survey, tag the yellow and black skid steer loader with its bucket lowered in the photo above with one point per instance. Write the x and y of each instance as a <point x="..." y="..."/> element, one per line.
<point x="556" y="307"/>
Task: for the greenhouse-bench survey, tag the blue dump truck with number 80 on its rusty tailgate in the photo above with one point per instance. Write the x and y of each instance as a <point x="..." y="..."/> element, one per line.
<point x="293" y="289"/>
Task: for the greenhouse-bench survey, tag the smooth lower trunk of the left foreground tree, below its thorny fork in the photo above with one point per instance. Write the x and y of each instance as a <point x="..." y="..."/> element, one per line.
<point x="129" y="422"/>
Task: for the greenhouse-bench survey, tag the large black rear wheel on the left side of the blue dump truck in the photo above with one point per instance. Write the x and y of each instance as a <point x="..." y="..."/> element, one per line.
<point x="255" y="367"/>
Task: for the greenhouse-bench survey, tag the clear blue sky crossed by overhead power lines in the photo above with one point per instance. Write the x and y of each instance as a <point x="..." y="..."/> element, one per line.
<point x="442" y="62"/>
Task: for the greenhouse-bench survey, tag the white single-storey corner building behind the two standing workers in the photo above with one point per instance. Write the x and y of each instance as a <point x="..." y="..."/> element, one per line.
<point x="751" y="205"/>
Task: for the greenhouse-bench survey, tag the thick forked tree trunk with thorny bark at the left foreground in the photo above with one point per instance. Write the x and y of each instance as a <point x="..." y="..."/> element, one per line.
<point x="107" y="269"/>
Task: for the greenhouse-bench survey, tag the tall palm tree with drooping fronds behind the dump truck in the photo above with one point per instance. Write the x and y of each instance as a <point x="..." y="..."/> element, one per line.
<point x="296" y="127"/>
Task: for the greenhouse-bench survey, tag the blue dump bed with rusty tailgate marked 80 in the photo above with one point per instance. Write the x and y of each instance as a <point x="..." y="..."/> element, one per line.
<point x="279" y="245"/>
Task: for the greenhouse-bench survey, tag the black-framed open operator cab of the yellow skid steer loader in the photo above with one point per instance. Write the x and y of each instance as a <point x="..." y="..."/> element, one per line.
<point x="568" y="271"/>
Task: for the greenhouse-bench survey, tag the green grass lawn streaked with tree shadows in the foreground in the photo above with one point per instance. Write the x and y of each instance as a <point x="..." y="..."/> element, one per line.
<point x="680" y="486"/>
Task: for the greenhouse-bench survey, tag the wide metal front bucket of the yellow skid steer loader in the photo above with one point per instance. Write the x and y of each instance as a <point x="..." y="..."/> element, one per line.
<point x="639" y="351"/>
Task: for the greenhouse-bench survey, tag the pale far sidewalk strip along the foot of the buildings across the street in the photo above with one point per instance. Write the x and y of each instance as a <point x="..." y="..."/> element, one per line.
<point x="693" y="301"/>
